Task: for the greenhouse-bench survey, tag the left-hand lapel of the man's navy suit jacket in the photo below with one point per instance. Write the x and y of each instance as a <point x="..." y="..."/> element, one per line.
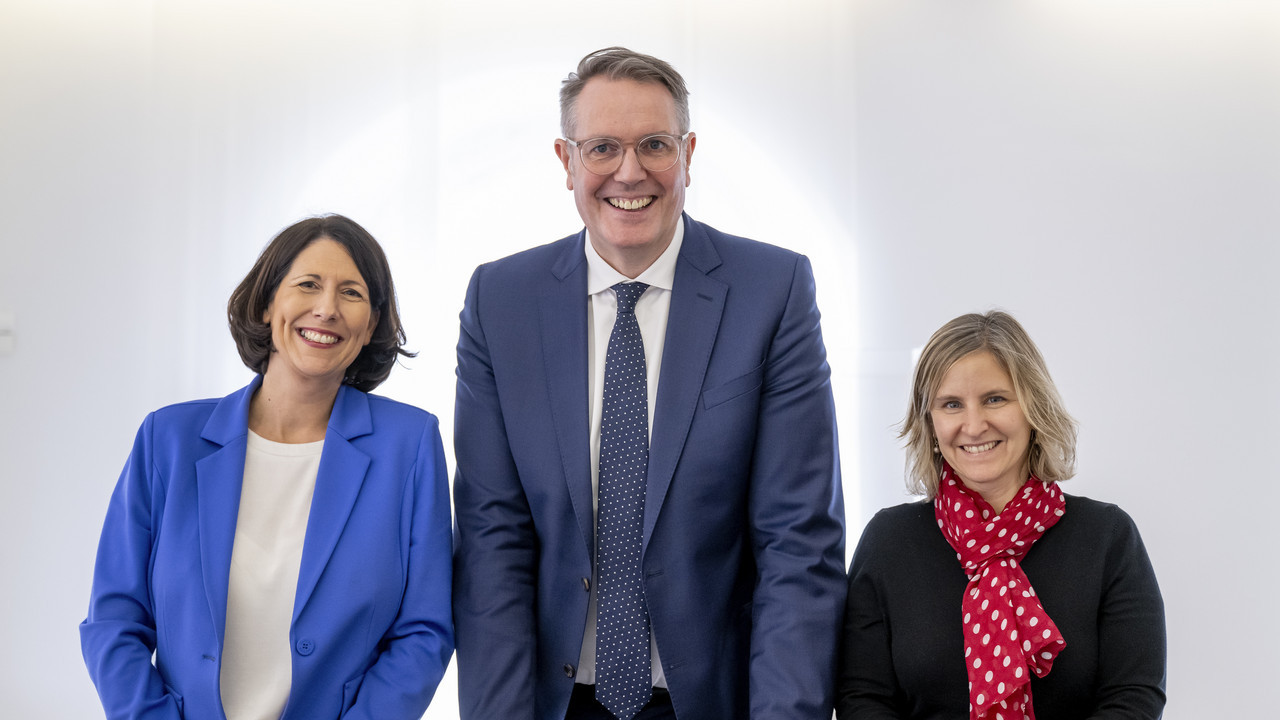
<point x="564" y="338"/>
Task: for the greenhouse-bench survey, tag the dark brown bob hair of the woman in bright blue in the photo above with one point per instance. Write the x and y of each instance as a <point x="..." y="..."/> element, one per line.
<point x="249" y="303"/>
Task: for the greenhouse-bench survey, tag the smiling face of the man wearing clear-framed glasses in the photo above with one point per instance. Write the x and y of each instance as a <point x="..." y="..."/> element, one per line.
<point x="632" y="215"/>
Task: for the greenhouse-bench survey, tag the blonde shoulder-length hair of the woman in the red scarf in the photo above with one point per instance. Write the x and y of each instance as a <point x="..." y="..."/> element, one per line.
<point x="1053" y="445"/>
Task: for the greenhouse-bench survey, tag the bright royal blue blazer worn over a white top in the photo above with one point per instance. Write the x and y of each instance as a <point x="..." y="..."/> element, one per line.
<point x="372" y="627"/>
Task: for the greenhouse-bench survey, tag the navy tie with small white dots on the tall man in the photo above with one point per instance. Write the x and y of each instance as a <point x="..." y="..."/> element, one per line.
<point x="623" y="675"/>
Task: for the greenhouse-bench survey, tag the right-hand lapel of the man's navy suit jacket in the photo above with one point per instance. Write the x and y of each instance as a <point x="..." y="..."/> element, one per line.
<point x="697" y="306"/>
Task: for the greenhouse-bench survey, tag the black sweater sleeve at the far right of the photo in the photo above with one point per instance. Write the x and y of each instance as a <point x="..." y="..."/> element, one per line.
<point x="1132" y="651"/>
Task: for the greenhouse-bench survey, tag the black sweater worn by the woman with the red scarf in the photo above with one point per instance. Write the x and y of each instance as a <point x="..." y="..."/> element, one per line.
<point x="903" y="649"/>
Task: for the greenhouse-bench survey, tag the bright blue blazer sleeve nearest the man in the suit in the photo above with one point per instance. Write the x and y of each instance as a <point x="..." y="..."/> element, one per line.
<point x="420" y="641"/>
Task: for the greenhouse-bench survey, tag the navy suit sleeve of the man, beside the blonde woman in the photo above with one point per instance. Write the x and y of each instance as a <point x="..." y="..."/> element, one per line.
<point x="797" y="516"/>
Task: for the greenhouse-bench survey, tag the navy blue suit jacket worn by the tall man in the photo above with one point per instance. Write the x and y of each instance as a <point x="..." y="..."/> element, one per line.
<point x="744" y="518"/>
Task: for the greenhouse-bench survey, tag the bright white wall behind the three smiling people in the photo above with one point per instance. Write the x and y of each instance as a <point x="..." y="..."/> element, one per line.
<point x="1109" y="171"/>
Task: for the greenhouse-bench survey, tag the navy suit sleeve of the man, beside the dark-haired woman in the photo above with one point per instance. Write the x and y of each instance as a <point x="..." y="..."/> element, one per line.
<point x="496" y="544"/>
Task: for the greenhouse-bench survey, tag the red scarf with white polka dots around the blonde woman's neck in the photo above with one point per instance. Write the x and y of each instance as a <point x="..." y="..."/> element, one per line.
<point x="1007" y="632"/>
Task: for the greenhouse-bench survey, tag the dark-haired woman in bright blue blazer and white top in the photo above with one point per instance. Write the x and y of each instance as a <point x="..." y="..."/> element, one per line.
<point x="284" y="552"/>
